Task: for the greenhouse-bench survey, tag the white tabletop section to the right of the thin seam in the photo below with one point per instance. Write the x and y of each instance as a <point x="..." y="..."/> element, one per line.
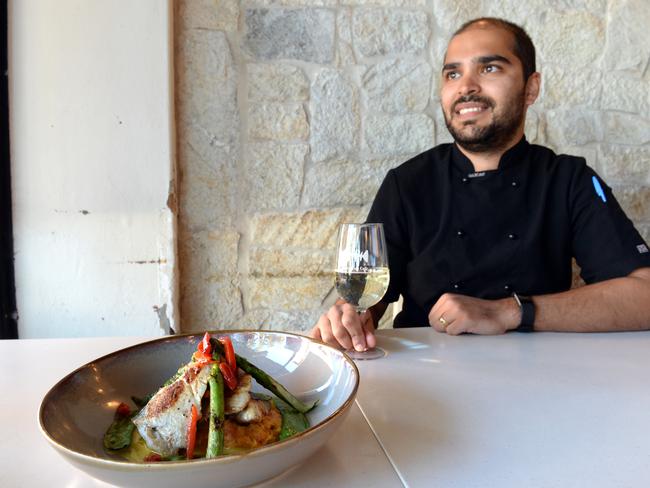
<point x="520" y="410"/>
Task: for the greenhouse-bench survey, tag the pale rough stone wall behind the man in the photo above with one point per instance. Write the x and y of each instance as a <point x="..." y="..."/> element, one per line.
<point x="290" y="112"/>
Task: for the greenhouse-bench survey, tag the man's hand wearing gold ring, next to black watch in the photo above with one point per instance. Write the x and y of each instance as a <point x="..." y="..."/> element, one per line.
<point x="456" y="314"/>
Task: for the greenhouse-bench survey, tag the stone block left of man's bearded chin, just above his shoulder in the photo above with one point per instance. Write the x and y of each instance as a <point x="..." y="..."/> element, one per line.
<point x="399" y="134"/>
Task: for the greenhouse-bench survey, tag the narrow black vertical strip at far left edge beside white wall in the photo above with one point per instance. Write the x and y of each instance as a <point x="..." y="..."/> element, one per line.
<point x="8" y="316"/>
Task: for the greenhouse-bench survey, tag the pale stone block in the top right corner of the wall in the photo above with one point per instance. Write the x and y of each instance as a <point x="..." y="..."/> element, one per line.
<point x="628" y="36"/>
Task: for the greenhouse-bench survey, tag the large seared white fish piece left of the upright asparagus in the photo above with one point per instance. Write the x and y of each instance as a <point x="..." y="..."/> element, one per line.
<point x="162" y="423"/>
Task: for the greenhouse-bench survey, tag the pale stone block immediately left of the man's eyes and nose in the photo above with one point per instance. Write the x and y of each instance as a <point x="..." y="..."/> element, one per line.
<point x="397" y="86"/>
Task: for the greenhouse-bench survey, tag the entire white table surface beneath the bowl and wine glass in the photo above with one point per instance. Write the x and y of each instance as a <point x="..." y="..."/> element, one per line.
<point x="520" y="410"/>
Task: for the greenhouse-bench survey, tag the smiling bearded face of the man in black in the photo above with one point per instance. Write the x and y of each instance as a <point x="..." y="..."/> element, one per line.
<point x="483" y="90"/>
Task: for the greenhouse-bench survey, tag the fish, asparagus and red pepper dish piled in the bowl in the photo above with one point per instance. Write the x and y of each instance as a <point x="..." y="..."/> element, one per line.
<point x="206" y="410"/>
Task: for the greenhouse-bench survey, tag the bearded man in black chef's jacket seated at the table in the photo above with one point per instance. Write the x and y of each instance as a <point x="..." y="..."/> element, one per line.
<point x="481" y="233"/>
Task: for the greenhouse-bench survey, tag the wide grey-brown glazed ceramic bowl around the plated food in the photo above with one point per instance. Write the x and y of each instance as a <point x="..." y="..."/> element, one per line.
<point x="75" y="413"/>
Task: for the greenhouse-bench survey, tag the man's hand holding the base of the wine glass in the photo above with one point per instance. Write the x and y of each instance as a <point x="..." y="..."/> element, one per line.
<point x="343" y="327"/>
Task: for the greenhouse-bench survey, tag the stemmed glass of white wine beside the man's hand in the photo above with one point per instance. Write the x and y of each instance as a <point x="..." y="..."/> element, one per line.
<point x="362" y="273"/>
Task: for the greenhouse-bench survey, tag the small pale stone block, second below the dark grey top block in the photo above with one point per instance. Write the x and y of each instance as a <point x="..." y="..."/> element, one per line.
<point x="278" y="122"/>
